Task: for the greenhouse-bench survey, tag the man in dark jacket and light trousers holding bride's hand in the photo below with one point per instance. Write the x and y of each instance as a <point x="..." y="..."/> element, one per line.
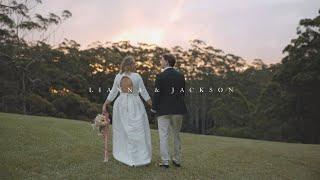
<point x="168" y="104"/>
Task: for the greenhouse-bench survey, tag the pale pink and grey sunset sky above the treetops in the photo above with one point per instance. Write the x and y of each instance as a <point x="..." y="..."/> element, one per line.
<point x="247" y="28"/>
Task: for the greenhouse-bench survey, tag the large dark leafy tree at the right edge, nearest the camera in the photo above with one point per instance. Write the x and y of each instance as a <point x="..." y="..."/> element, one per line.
<point x="299" y="76"/>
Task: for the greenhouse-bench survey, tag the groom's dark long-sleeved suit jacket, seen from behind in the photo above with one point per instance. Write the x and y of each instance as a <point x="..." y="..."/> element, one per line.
<point x="169" y="101"/>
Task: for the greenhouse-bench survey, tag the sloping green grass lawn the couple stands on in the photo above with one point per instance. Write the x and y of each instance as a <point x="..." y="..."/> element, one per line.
<point x="51" y="148"/>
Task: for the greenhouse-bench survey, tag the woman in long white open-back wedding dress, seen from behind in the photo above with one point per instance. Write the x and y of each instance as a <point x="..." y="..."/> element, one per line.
<point x="131" y="131"/>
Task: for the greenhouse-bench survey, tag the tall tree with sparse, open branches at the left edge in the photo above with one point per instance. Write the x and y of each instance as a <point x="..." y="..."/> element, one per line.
<point x="16" y="21"/>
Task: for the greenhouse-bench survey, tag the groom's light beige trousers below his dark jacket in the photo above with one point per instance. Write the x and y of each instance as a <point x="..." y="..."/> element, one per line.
<point x="165" y="123"/>
